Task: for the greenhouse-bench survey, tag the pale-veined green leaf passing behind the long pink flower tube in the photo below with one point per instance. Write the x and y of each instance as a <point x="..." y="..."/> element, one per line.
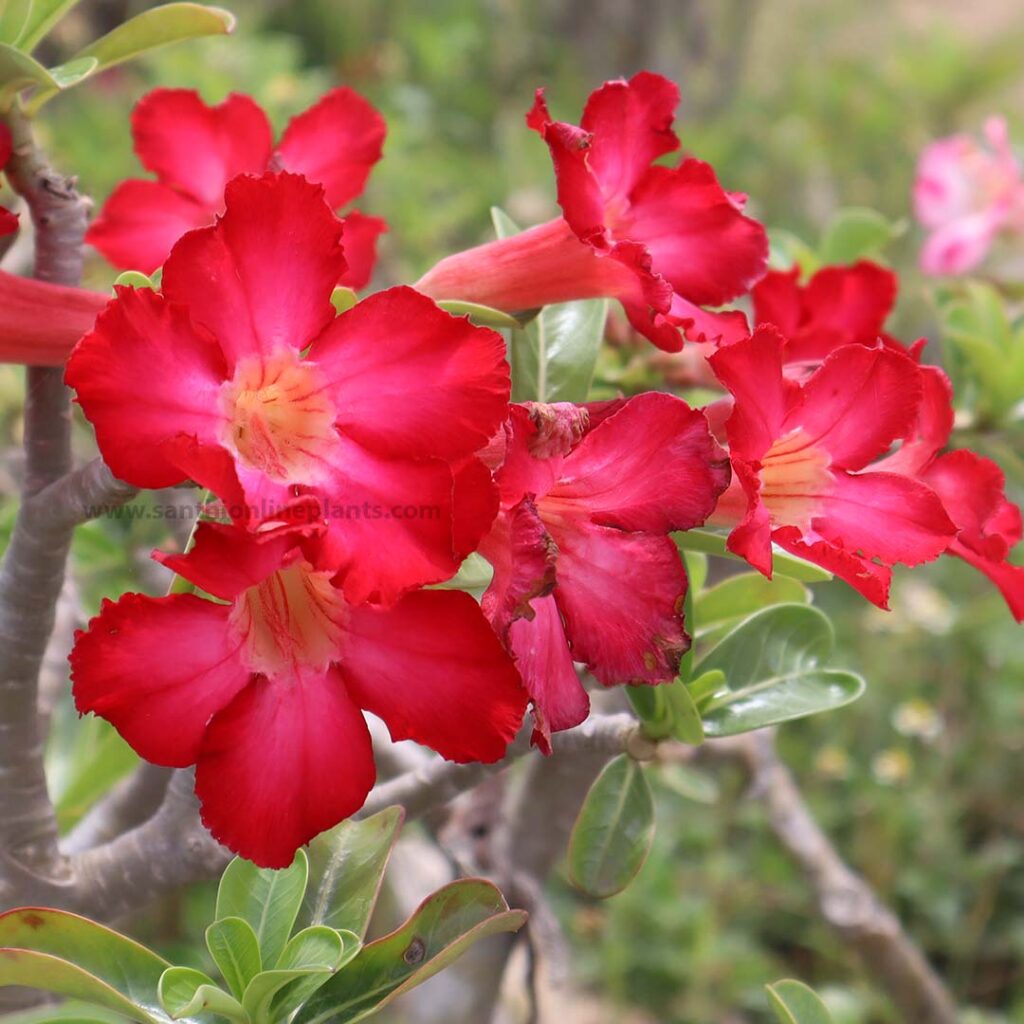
<point x="554" y="356"/>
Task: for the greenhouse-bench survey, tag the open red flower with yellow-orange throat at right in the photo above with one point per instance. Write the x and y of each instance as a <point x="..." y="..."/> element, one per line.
<point x="802" y="457"/>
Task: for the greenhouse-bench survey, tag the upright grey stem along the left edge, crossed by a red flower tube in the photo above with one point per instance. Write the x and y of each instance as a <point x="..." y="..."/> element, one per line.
<point x="32" y="575"/>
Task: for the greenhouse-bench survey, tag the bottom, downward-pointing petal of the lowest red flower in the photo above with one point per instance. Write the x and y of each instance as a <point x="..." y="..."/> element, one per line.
<point x="286" y="760"/>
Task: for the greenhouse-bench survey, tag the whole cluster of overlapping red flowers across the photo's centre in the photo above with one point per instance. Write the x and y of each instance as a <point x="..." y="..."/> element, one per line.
<point x="365" y="456"/>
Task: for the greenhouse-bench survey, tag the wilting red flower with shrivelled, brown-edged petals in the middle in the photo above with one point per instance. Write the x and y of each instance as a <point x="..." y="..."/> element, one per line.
<point x="583" y="568"/>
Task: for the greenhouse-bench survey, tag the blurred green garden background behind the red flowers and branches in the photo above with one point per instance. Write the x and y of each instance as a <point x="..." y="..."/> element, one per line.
<point x="807" y="107"/>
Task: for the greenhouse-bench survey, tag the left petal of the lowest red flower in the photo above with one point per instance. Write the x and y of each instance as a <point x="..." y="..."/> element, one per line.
<point x="158" y="669"/>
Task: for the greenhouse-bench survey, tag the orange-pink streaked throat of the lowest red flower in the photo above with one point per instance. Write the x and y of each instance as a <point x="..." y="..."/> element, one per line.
<point x="292" y="620"/>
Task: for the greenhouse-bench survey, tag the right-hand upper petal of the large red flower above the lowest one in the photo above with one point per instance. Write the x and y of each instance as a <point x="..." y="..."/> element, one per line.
<point x="413" y="381"/>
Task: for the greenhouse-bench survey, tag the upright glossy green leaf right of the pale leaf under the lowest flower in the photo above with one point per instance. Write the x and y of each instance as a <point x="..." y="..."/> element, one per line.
<point x="347" y="868"/>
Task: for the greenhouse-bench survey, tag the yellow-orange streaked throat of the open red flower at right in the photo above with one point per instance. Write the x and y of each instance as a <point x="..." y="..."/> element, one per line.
<point x="794" y="477"/>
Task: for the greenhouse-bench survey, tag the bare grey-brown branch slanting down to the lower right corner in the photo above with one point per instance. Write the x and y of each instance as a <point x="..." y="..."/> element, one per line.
<point x="844" y="900"/>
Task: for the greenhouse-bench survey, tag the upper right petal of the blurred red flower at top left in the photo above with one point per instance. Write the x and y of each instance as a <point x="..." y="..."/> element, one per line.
<point x="335" y="144"/>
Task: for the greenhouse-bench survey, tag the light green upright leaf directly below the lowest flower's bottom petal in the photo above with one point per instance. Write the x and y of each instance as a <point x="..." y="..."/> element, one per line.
<point x="269" y="901"/>
